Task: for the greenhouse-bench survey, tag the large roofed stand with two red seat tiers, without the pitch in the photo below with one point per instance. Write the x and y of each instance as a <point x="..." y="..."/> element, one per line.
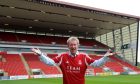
<point x="21" y="61"/>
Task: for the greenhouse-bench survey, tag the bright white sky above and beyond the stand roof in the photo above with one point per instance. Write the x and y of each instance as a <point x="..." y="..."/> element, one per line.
<point x="130" y="7"/>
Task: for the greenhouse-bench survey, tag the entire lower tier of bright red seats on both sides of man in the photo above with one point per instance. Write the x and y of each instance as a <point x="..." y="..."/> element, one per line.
<point x="15" y="66"/>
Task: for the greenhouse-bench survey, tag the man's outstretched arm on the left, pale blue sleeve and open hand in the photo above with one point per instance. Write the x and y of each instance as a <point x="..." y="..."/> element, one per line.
<point x="43" y="58"/>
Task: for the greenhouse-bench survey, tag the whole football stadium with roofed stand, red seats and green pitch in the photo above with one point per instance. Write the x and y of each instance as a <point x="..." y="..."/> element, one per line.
<point x="47" y="24"/>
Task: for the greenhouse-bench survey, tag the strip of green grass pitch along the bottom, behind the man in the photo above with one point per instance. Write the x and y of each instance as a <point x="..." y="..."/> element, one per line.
<point x="121" y="79"/>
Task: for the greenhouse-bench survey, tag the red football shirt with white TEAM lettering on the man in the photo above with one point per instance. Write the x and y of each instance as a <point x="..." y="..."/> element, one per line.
<point x="73" y="68"/>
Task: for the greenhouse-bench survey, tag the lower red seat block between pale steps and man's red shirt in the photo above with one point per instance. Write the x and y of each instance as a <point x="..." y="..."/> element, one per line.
<point x="34" y="63"/>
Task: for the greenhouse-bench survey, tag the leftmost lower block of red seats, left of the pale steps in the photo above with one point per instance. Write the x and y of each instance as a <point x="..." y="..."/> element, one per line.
<point x="13" y="65"/>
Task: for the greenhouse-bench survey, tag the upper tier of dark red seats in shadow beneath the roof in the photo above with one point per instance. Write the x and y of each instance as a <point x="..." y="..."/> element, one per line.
<point x="29" y="38"/>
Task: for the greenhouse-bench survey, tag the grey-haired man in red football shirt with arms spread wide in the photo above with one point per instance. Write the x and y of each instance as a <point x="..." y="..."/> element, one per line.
<point x="73" y="64"/>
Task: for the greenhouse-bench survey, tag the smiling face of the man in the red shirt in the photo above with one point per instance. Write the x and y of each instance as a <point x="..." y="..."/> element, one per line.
<point x="73" y="46"/>
